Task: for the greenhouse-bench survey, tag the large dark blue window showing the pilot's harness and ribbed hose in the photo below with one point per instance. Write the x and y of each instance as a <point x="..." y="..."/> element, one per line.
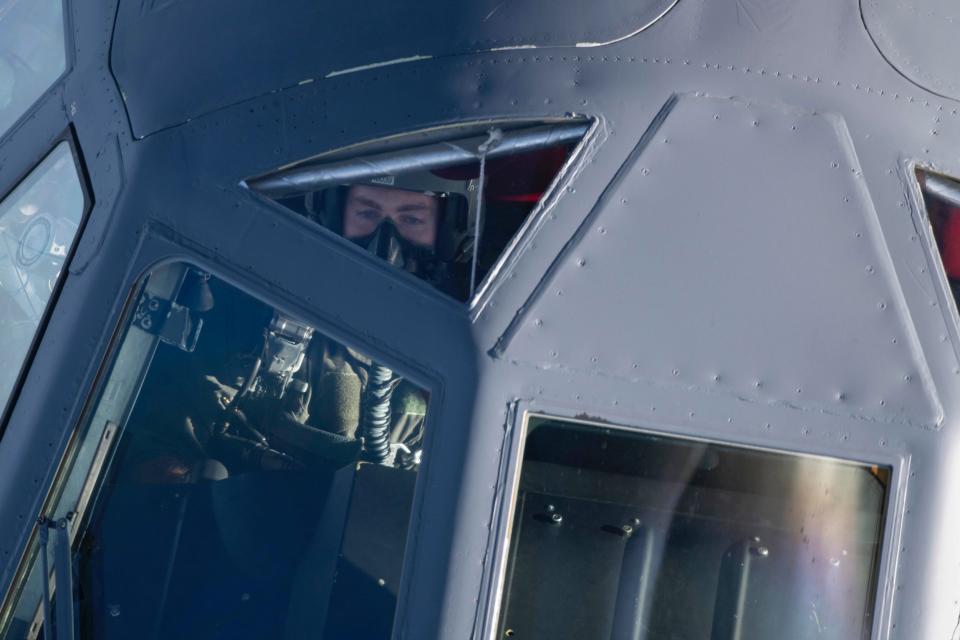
<point x="242" y="476"/>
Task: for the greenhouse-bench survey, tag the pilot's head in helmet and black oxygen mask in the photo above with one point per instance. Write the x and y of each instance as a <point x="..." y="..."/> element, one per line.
<point x="373" y="213"/>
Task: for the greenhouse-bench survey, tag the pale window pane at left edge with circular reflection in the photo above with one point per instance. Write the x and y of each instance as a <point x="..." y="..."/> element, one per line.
<point x="38" y="222"/>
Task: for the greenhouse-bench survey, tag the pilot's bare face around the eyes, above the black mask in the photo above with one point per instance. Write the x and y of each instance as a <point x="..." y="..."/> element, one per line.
<point x="414" y="214"/>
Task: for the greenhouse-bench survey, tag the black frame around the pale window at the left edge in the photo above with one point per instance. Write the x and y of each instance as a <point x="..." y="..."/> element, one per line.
<point x="68" y="135"/>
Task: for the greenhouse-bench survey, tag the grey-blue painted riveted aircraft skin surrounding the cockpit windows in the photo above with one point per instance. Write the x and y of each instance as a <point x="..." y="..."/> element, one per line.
<point x="761" y="205"/>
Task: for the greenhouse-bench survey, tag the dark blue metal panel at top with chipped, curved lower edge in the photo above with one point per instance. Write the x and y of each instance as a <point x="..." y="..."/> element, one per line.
<point x="300" y="42"/>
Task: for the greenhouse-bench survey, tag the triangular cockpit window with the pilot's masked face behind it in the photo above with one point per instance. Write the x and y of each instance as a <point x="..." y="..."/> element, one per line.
<point x="445" y="210"/>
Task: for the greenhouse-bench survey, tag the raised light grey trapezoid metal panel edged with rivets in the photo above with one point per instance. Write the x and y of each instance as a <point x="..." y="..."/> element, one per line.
<point x="749" y="261"/>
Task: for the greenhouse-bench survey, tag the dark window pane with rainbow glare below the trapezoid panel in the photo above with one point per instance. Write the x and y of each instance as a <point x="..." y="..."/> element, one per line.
<point x="619" y="534"/>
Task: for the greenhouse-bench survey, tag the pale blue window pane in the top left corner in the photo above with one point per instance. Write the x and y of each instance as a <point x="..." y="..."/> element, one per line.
<point x="32" y="54"/>
